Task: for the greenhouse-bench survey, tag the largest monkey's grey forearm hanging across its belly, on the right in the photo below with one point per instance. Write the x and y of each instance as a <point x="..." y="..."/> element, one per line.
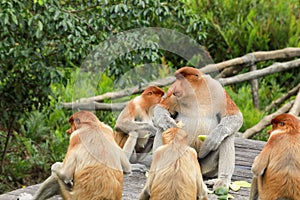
<point x="228" y="125"/>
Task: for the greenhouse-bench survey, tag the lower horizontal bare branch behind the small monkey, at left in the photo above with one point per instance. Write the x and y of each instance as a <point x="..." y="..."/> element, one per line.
<point x="95" y="106"/>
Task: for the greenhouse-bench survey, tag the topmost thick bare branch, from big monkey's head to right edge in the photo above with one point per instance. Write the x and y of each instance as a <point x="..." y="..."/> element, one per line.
<point x="253" y="58"/>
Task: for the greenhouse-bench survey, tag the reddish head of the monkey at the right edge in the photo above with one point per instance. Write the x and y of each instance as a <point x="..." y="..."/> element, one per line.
<point x="285" y="123"/>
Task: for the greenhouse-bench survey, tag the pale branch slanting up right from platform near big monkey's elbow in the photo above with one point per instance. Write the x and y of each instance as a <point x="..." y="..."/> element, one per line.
<point x="266" y="121"/>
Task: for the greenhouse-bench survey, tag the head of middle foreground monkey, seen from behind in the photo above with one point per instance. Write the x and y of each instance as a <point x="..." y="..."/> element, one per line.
<point x="176" y="135"/>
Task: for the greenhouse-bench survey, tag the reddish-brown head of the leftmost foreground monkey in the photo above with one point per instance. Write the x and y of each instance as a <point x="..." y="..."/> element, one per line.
<point x="80" y="119"/>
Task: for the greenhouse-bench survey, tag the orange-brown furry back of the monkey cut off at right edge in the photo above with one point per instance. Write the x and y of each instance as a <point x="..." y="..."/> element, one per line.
<point x="282" y="176"/>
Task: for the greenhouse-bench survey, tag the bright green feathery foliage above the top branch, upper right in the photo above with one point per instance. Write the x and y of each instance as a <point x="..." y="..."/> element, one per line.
<point x="239" y="27"/>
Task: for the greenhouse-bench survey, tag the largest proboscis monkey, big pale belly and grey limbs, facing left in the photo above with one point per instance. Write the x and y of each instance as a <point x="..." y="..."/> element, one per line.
<point x="204" y="108"/>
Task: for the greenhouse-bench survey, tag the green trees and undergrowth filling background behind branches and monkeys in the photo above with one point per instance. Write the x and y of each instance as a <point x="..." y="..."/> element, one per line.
<point x="44" y="43"/>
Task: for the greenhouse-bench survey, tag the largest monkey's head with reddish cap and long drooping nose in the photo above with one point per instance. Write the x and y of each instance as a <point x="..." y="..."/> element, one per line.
<point x="187" y="78"/>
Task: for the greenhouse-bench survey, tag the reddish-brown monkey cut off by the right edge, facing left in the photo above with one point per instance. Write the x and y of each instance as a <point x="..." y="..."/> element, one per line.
<point x="277" y="168"/>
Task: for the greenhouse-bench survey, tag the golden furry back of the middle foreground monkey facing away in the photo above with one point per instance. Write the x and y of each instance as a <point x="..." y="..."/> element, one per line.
<point x="177" y="181"/>
